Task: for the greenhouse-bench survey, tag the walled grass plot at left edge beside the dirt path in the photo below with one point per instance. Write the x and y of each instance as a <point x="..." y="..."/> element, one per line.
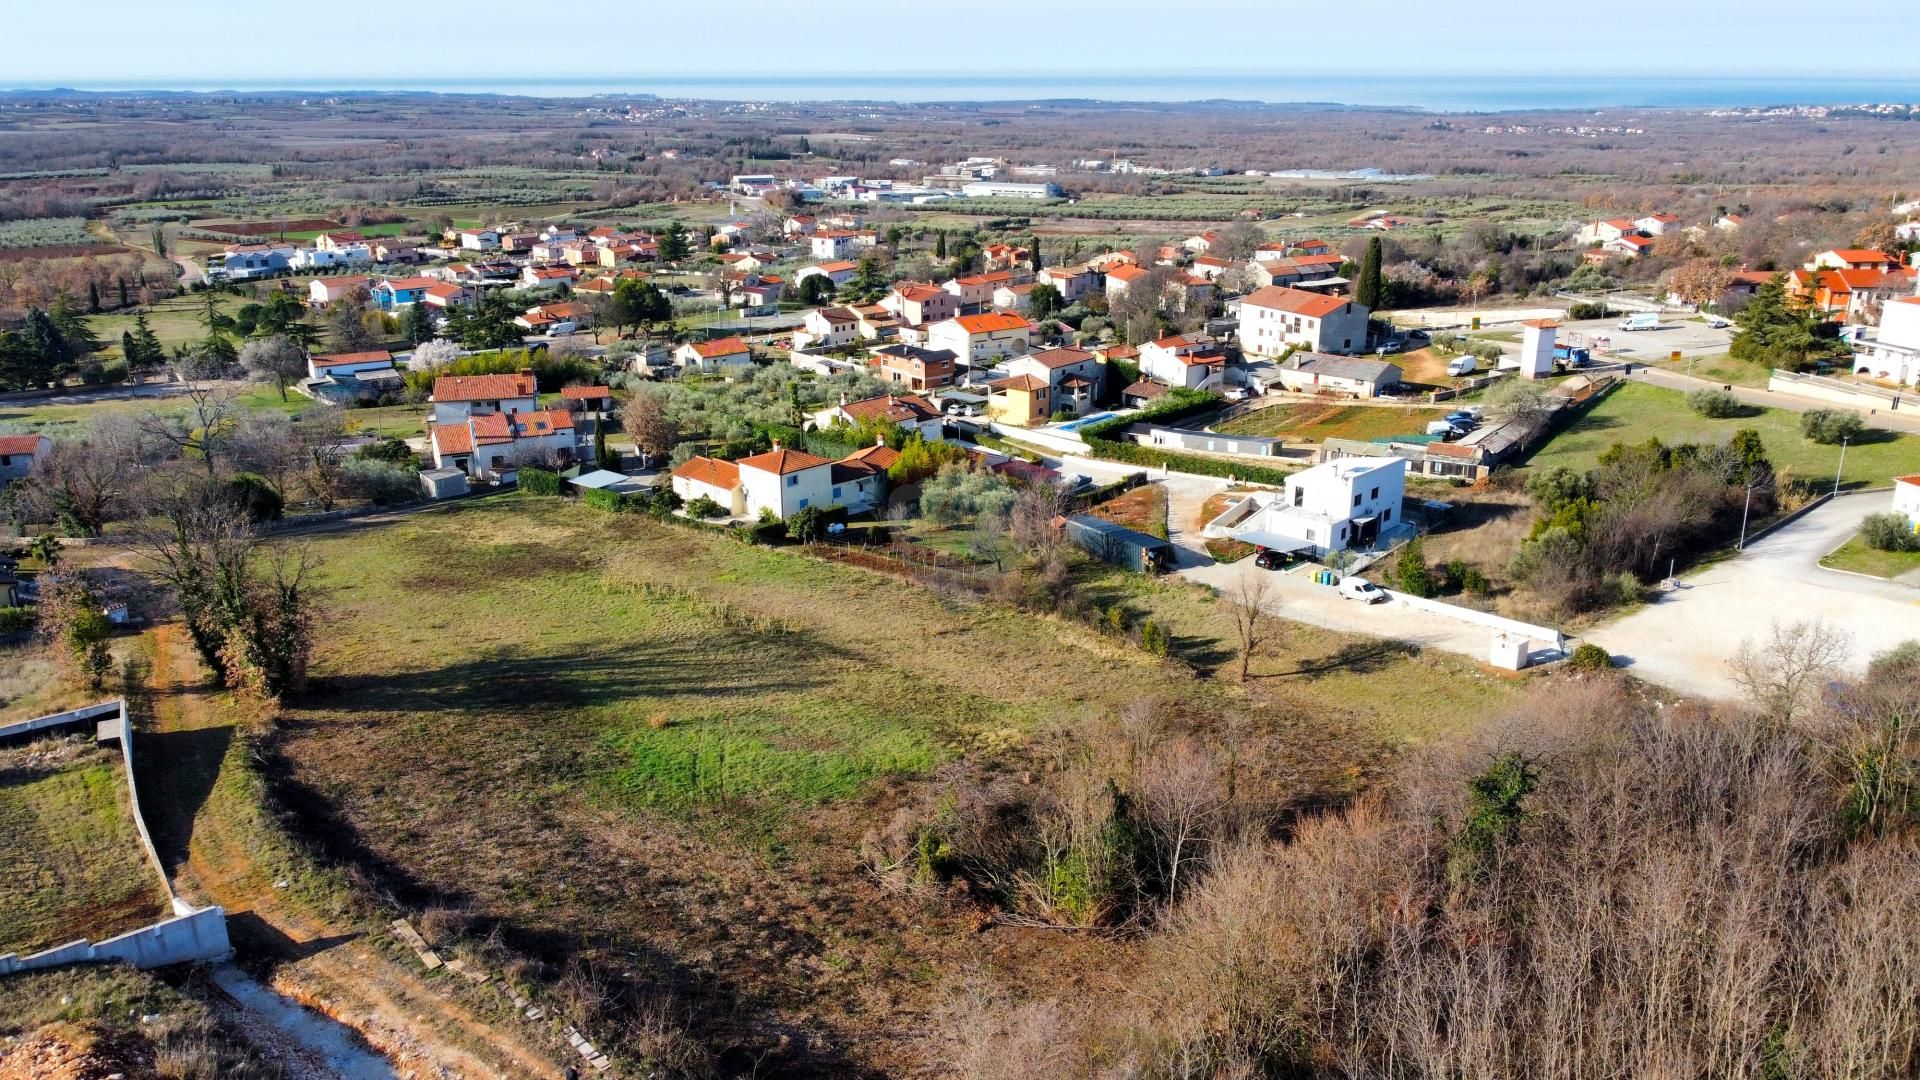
<point x="74" y="864"/>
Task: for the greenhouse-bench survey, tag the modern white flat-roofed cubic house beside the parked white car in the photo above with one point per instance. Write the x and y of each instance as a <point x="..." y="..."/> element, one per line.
<point x="1343" y="504"/>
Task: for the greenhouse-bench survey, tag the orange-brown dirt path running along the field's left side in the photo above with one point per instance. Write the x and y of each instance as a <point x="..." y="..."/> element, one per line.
<point x="331" y="970"/>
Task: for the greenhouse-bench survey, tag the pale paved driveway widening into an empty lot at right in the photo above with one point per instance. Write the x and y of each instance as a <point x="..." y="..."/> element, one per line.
<point x="1687" y="639"/>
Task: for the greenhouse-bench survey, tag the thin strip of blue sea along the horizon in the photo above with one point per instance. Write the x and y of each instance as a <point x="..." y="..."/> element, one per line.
<point x="1435" y="93"/>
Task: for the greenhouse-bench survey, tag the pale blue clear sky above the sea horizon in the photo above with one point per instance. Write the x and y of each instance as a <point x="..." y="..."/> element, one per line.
<point x="218" y="43"/>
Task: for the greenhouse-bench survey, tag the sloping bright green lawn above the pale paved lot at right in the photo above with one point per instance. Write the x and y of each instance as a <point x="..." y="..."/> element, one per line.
<point x="1639" y="412"/>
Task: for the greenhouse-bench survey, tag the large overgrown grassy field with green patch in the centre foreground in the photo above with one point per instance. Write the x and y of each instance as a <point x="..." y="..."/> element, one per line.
<point x="658" y="749"/>
